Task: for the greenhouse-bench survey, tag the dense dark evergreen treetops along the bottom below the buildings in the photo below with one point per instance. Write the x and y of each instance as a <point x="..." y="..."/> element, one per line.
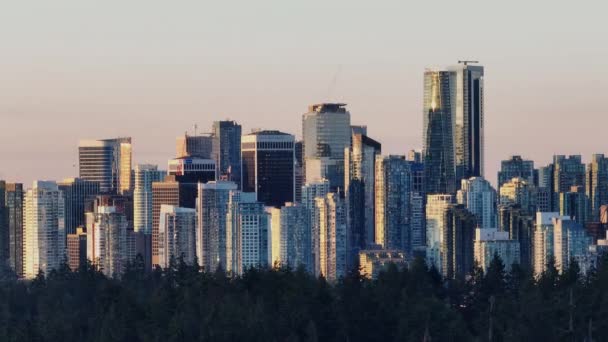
<point x="415" y="304"/>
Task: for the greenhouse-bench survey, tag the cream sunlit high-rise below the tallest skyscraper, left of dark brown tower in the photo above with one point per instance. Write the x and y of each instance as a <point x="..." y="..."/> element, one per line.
<point x="437" y="207"/>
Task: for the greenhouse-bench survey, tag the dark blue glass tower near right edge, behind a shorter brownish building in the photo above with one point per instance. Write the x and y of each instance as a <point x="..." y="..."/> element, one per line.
<point x="567" y="172"/>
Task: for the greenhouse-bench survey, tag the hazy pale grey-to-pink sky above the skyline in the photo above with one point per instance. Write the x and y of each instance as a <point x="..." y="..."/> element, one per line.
<point x="152" y="69"/>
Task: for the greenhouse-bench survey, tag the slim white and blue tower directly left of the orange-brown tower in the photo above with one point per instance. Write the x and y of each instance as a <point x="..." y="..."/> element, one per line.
<point x="145" y="175"/>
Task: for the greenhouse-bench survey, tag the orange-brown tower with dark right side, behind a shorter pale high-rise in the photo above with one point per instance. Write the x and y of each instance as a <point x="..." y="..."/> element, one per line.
<point x="169" y="192"/>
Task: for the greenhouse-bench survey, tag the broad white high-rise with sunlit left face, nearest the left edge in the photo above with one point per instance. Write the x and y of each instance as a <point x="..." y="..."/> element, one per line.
<point x="44" y="233"/>
